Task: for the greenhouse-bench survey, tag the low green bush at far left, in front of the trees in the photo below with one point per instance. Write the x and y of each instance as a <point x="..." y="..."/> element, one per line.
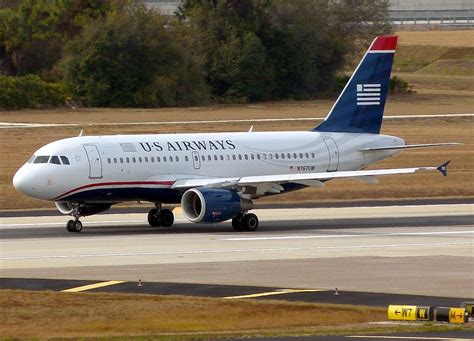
<point x="29" y="92"/>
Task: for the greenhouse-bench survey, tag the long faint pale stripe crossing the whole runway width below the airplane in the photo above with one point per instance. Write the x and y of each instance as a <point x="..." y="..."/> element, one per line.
<point x="247" y="250"/>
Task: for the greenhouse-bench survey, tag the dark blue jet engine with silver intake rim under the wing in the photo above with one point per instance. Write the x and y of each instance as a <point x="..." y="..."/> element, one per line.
<point x="210" y="205"/>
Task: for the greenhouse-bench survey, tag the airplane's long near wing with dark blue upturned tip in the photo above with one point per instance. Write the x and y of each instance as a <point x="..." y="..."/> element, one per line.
<point x="271" y="183"/>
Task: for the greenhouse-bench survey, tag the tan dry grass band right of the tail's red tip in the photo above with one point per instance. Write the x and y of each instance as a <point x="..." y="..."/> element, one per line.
<point x="455" y="38"/>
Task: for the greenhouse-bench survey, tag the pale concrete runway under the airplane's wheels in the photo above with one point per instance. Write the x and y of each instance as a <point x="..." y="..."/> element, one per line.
<point x="418" y="250"/>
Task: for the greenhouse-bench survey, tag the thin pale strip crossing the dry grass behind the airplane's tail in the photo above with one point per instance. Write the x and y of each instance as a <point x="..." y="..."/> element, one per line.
<point x="12" y="125"/>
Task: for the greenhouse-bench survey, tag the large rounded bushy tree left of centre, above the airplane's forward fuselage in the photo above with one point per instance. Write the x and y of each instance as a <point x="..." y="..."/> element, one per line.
<point x="131" y="58"/>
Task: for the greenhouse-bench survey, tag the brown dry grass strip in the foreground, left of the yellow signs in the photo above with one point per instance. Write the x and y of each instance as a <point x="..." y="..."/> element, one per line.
<point x="28" y="314"/>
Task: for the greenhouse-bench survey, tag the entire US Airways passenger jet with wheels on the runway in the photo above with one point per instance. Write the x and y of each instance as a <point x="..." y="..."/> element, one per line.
<point x="217" y="176"/>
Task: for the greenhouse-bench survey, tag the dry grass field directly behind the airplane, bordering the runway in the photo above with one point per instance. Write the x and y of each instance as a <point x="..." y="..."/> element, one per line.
<point x="18" y="145"/>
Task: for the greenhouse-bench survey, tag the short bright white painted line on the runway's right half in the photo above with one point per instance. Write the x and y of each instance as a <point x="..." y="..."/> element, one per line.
<point x="349" y="235"/>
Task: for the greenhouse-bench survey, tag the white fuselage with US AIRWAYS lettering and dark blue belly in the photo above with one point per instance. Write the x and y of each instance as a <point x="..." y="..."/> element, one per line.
<point x="144" y="167"/>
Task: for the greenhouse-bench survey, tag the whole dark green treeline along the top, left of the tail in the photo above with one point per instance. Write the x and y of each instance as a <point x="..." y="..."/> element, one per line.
<point x="122" y="54"/>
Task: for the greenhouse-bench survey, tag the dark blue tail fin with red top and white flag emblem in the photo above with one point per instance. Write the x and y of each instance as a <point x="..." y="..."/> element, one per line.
<point x="360" y="106"/>
